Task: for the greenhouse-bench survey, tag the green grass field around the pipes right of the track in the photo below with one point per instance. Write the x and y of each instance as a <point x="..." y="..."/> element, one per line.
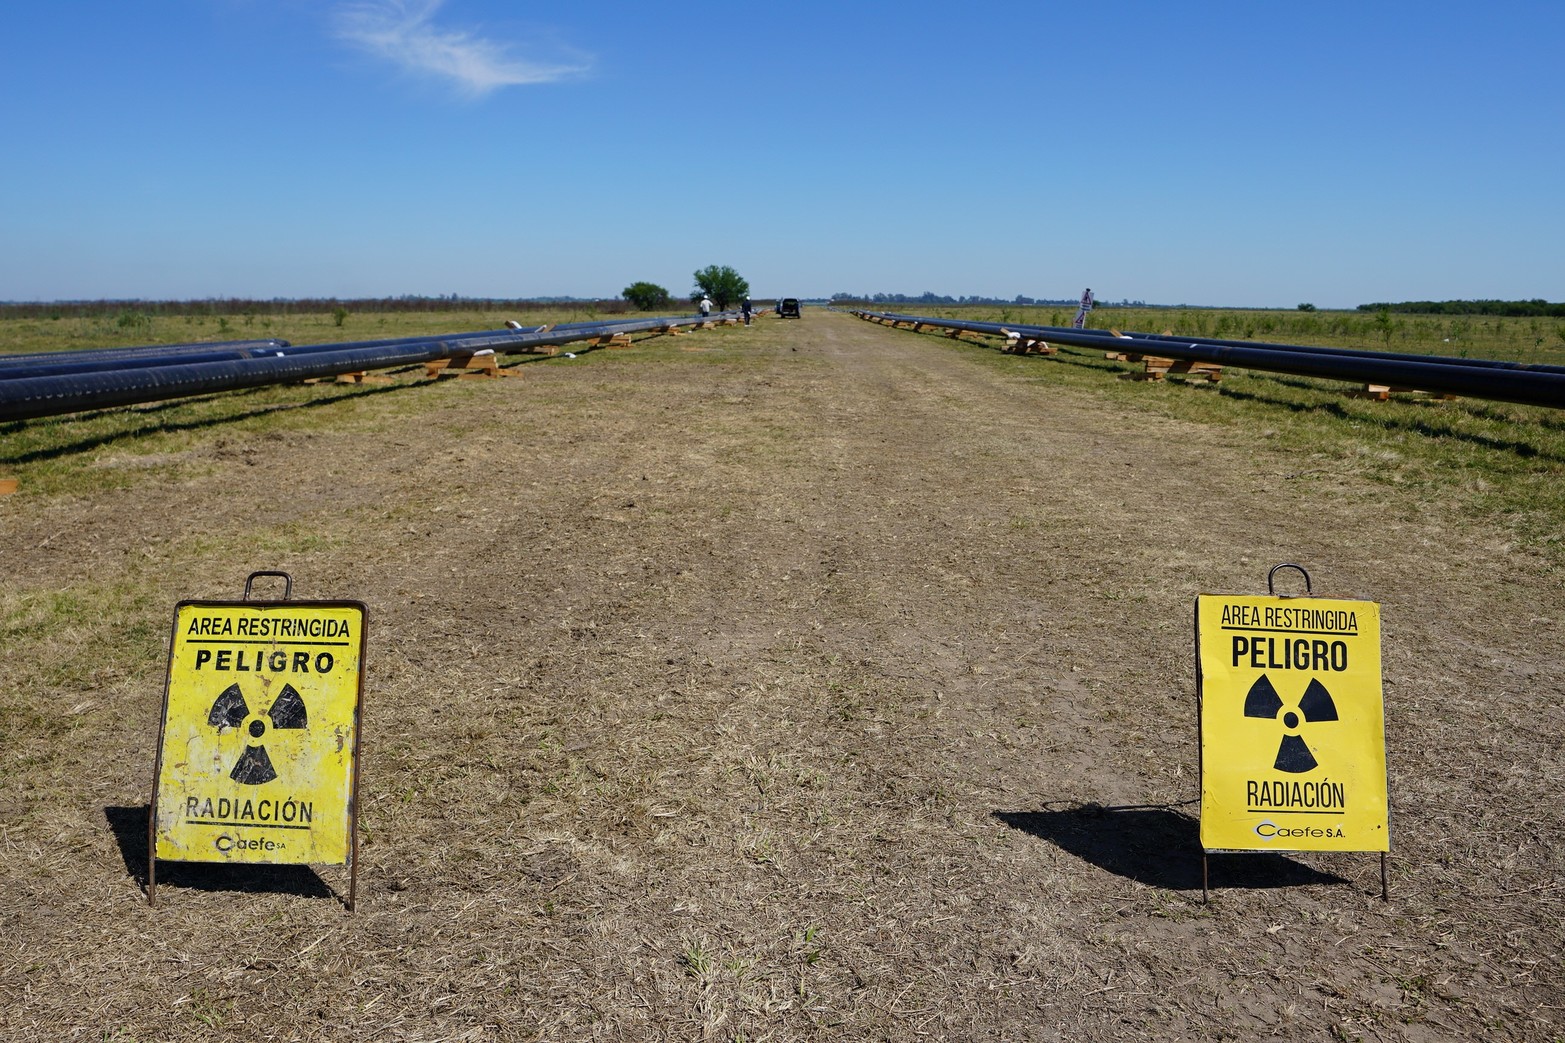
<point x="1498" y="466"/>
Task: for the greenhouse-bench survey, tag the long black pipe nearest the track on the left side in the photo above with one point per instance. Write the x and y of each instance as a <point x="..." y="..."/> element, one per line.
<point x="32" y="397"/>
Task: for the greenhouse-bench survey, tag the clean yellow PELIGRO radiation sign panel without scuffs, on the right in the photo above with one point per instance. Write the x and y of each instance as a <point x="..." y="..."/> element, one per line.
<point x="1292" y="724"/>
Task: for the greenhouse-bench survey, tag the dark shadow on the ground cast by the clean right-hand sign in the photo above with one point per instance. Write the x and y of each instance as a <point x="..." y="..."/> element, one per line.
<point x="1157" y="846"/>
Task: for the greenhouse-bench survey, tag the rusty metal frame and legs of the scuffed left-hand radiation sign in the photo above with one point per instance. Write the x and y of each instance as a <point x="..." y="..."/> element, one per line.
<point x="353" y="749"/>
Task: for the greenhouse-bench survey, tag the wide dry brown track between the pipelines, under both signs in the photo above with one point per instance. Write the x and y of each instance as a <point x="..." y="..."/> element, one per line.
<point x="804" y="682"/>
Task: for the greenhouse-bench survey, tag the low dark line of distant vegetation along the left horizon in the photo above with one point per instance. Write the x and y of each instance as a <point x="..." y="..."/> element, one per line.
<point x="297" y="306"/>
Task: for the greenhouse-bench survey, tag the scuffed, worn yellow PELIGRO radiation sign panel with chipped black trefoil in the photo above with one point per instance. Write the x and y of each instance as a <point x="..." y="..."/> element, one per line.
<point x="261" y="734"/>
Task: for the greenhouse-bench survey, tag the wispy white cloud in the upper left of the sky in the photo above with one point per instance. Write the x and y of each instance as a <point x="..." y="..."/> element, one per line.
<point x="405" y="34"/>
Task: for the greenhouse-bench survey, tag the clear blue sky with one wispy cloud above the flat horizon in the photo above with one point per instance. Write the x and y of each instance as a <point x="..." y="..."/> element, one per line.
<point x="1239" y="154"/>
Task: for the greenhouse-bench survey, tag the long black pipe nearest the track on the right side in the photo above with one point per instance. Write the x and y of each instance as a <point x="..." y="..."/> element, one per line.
<point x="1505" y="383"/>
